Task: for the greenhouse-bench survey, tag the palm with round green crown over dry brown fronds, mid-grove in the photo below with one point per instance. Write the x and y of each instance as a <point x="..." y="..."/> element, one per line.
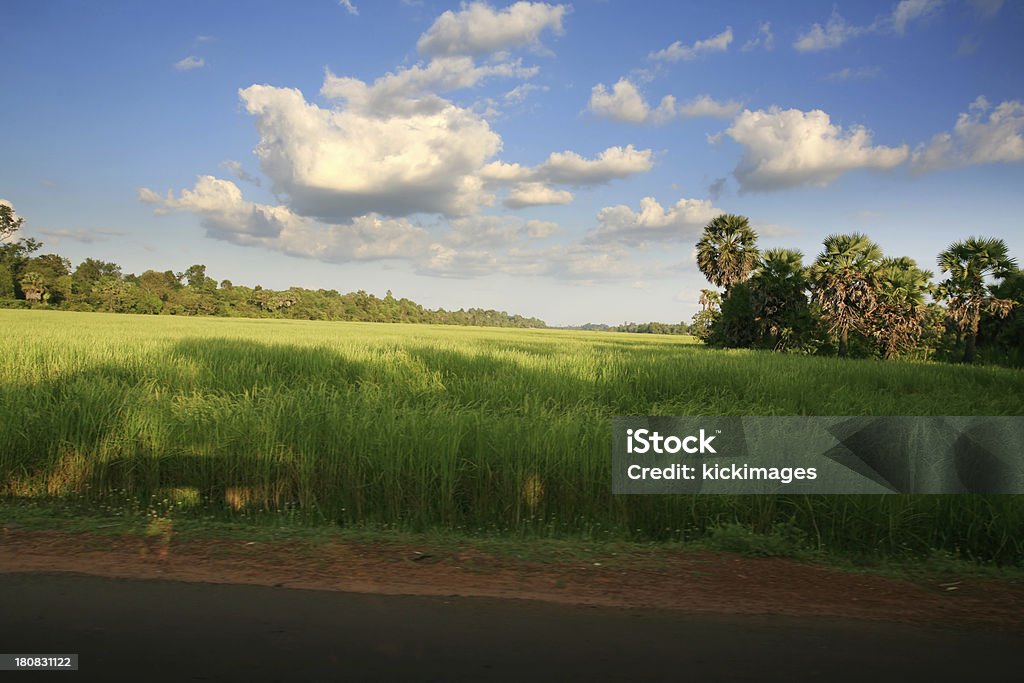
<point x="844" y="280"/>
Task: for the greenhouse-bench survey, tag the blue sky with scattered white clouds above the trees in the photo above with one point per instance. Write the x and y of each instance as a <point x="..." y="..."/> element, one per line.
<point x="551" y="160"/>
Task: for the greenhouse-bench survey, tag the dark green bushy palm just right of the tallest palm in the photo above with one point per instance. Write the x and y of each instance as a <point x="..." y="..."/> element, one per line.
<point x="780" y="289"/>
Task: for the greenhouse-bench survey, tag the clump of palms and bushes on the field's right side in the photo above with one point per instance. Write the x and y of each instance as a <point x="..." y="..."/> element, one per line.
<point x="856" y="302"/>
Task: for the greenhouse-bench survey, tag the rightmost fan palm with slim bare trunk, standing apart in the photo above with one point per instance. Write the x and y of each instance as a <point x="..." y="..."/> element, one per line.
<point x="969" y="265"/>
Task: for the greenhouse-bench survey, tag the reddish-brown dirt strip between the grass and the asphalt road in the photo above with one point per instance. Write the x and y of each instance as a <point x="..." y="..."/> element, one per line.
<point x="694" y="582"/>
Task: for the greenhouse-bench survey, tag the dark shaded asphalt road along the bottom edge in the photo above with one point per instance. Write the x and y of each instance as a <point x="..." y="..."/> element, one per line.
<point x="168" y="631"/>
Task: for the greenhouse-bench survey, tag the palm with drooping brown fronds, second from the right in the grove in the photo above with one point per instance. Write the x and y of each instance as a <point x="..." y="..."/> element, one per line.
<point x="899" y="319"/>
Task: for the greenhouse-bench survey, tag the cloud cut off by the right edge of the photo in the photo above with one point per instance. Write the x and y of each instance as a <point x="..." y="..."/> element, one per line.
<point x="975" y="140"/>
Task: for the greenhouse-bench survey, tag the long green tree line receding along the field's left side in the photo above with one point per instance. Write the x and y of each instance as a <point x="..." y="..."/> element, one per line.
<point x="32" y="280"/>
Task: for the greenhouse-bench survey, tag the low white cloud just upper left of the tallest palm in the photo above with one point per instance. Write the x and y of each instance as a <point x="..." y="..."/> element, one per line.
<point x="654" y="223"/>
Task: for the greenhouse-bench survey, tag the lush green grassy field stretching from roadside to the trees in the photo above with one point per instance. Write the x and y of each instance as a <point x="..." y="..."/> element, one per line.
<point x="467" y="430"/>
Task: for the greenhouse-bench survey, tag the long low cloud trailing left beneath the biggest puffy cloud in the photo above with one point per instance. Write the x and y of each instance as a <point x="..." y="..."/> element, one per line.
<point x="226" y="216"/>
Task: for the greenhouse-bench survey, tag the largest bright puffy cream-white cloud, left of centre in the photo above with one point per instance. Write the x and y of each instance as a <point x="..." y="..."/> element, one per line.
<point x="371" y="157"/>
